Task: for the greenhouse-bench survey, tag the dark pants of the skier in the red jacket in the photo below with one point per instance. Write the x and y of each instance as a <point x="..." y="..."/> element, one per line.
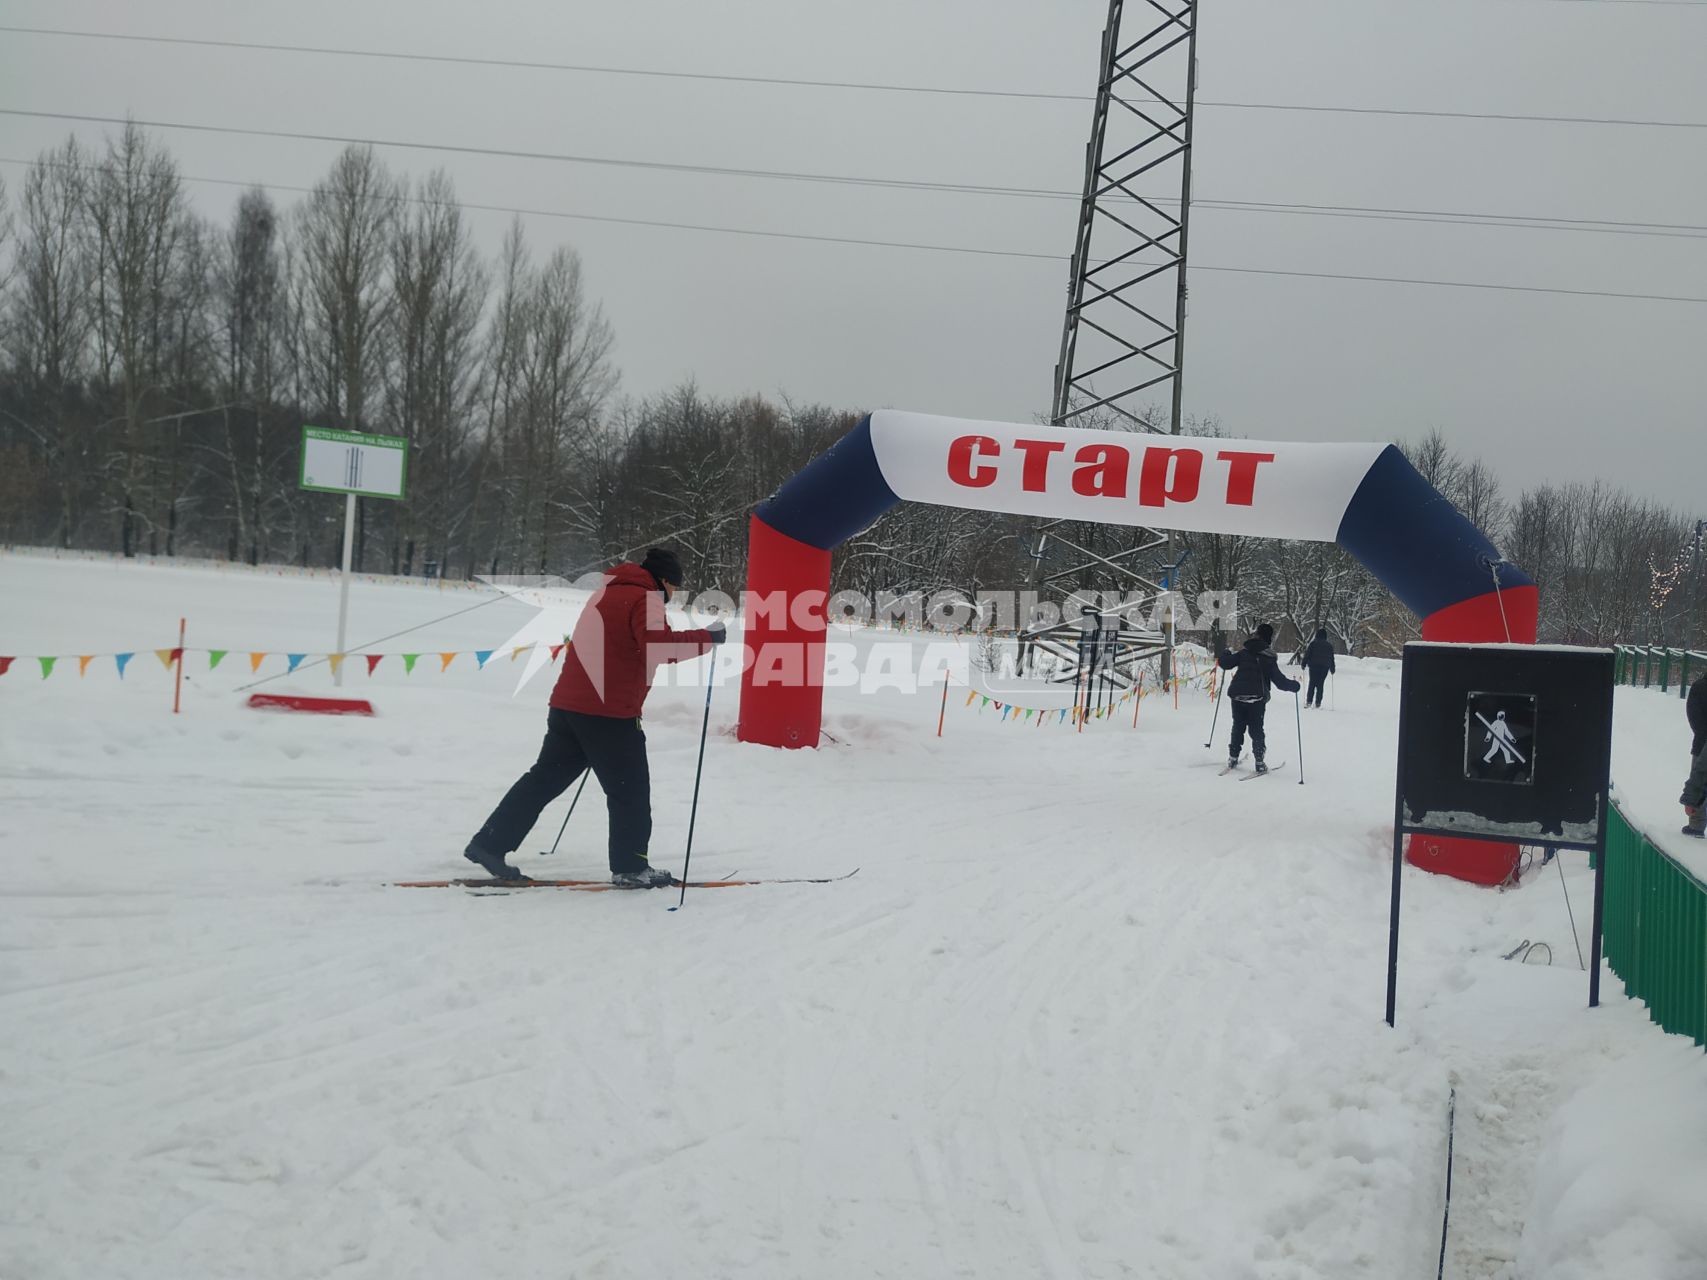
<point x="574" y="742"/>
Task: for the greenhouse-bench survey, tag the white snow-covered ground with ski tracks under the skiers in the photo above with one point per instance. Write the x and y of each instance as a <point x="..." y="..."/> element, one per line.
<point x="1087" y="1011"/>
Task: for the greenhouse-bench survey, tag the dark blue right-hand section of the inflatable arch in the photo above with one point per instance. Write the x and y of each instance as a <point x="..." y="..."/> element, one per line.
<point x="1404" y="532"/>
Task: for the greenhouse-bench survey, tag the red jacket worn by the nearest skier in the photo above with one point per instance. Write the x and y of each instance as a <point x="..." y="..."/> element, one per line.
<point x="619" y="643"/>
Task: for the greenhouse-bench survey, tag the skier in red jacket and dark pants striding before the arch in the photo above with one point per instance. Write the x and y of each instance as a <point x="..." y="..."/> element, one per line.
<point x="595" y="721"/>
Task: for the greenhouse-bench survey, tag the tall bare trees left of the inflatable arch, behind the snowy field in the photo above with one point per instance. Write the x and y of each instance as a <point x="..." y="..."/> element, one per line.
<point x="160" y="369"/>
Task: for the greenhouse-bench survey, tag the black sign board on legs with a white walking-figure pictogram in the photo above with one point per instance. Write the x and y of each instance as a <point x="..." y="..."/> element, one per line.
<point x="1508" y="743"/>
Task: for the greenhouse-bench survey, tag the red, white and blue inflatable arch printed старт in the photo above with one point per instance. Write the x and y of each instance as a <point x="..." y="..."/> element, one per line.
<point x="1366" y="497"/>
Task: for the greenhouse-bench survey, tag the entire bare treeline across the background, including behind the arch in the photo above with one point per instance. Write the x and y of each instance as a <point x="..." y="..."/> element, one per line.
<point x="158" y="369"/>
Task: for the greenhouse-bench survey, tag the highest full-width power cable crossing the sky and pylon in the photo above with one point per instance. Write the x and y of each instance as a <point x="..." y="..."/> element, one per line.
<point x="801" y="83"/>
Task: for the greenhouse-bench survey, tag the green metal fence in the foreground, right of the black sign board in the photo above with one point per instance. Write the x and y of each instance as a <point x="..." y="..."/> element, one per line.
<point x="1657" y="929"/>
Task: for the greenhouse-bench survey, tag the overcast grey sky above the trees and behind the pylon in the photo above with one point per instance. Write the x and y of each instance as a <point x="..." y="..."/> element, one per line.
<point x="1542" y="387"/>
